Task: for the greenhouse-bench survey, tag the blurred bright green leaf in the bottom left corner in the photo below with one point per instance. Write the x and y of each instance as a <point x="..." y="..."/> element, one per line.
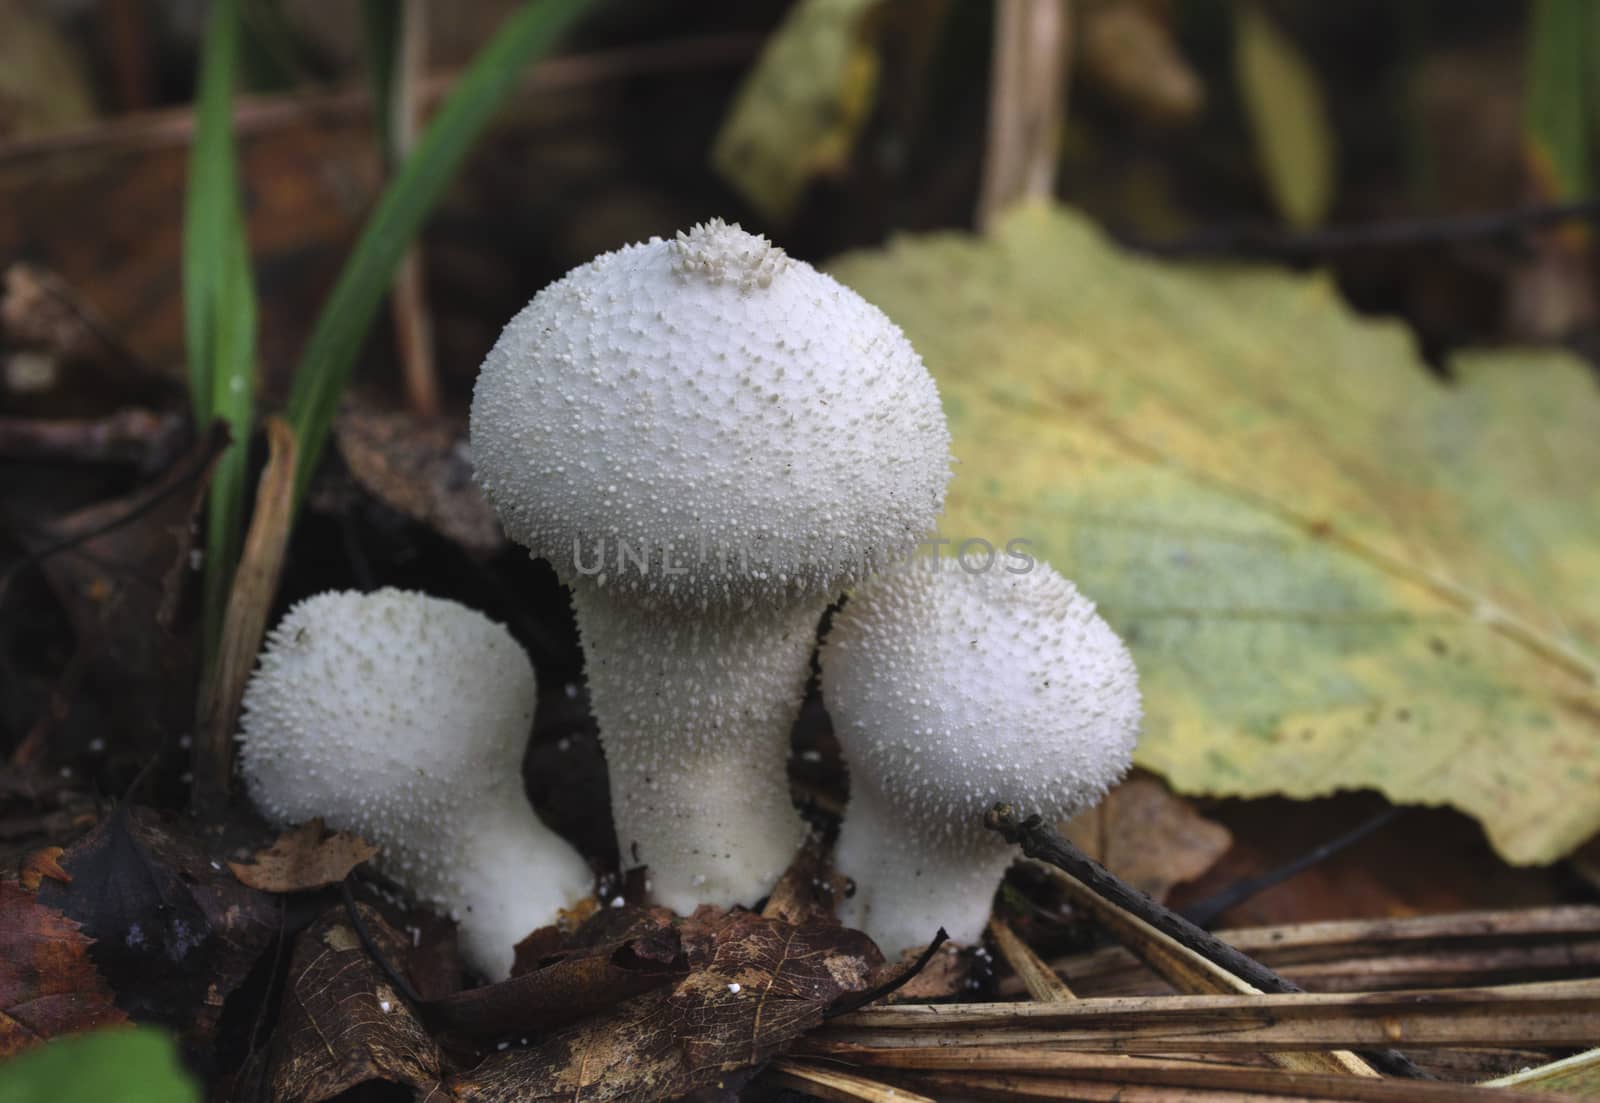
<point x="135" y="1065"/>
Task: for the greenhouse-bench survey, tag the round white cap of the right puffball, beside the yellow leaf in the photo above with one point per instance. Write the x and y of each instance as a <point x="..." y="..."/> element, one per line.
<point x="951" y="691"/>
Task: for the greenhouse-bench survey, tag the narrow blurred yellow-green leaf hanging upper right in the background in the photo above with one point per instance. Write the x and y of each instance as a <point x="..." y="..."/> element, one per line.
<point x="1289" y="118"/>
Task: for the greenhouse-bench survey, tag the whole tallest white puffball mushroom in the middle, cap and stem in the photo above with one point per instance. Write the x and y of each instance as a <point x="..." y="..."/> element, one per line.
<point x="708" y="441"/>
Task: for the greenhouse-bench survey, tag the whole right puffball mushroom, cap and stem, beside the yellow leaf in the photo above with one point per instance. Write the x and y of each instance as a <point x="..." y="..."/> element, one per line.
<point x="951" y="691"/>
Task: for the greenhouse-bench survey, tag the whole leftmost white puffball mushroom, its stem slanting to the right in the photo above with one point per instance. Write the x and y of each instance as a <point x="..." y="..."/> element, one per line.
<point x="404" y="718"/>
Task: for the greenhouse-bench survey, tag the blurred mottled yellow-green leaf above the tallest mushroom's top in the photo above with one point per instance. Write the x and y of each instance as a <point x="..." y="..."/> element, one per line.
<point x="802" y="108"/>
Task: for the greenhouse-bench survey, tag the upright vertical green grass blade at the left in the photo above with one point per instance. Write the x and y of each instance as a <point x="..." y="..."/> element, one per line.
<point x="220" y="303"/>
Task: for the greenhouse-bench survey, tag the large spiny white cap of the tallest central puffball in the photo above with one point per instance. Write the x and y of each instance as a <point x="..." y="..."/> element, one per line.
<point x="743" y="423"/>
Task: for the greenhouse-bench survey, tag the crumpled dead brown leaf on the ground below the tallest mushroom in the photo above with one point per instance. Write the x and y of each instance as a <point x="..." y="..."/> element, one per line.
<point x="756" y="985"/>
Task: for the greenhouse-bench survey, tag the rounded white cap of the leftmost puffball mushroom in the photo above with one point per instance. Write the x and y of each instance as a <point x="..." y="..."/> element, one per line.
<point x="383" y="702"/>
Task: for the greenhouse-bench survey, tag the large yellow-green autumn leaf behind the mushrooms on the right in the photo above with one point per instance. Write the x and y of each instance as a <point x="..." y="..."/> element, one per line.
<point x="1335" y="571"/>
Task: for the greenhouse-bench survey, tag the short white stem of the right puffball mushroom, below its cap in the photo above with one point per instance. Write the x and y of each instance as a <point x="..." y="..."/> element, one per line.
<point x="914" y="878"/>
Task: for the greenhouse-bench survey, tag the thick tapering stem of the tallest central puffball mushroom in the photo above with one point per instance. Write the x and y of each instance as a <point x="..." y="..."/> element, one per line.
<point x="695" y="716"/>
